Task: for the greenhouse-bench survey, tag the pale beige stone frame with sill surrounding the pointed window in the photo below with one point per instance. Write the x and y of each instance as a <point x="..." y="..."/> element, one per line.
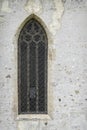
<point x="49" y="85"/>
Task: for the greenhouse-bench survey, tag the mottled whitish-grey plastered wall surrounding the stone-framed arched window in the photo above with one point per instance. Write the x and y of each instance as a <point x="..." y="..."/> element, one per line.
<point x="66" y="21"/>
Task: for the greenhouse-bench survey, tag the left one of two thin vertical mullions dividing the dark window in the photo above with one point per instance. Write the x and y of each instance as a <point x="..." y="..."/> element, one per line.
<point x="28" y="78"/>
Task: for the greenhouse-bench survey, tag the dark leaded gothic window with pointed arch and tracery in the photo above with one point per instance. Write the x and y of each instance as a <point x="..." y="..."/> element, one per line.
<point x="32" y="69"/>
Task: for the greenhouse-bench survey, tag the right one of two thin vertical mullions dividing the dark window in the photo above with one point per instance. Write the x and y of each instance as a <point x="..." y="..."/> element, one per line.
<point x="37" y="77"/>
